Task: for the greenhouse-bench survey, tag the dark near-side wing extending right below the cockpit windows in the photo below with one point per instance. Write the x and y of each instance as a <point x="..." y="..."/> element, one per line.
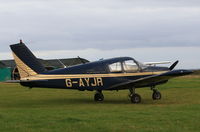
<point x="152" y="80"/>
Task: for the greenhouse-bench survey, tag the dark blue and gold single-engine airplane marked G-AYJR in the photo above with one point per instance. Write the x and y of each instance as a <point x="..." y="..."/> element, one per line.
<point x="109" y="74"/>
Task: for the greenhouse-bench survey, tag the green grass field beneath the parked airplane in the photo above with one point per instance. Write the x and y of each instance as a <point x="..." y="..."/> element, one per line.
<point x="52" y="110"/>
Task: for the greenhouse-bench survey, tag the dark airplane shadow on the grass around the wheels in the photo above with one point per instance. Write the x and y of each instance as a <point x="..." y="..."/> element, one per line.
<point x="57" y="102"/>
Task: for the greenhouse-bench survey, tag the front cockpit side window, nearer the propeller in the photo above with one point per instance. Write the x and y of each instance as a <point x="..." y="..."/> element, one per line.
<point x="130" y="66"/>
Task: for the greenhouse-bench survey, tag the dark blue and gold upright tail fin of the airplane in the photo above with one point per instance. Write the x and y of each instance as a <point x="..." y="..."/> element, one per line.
<point x="27" y="63"/>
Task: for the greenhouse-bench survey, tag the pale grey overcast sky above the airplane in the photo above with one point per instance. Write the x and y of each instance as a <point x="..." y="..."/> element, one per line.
<point x="148" y="30"/>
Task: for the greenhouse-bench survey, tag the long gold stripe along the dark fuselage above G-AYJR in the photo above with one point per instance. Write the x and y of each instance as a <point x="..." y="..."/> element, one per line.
<point x="68" y="76"/>
